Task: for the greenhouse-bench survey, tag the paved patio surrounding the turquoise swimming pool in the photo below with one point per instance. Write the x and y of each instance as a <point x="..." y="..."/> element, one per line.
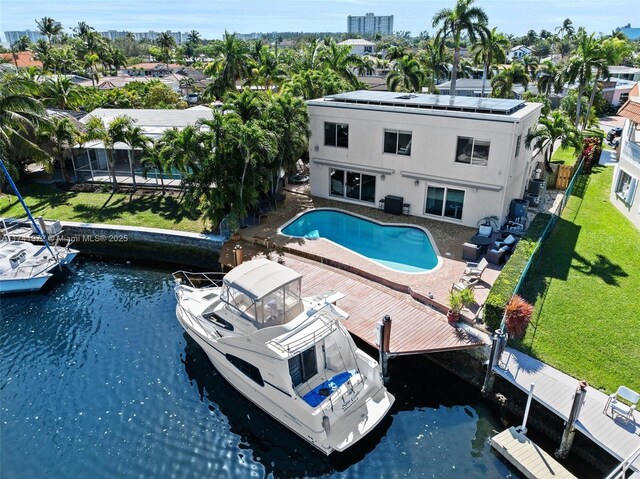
<point x="430" y="288"/>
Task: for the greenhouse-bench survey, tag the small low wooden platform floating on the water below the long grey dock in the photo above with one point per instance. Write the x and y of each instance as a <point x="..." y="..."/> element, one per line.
<point x="527" y="457"/>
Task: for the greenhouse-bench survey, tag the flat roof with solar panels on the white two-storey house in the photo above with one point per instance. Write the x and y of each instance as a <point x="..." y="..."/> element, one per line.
<point x="429" y="102"/>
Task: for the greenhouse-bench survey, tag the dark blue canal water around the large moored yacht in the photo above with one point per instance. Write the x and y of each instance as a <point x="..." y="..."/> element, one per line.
<point x="98" y="379"/>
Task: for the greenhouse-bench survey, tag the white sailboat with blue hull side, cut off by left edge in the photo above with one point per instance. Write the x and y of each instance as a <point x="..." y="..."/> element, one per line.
<point x="27" y="267"/>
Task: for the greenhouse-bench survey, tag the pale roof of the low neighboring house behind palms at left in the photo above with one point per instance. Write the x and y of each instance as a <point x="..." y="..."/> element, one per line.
<point x="153" y="122"/>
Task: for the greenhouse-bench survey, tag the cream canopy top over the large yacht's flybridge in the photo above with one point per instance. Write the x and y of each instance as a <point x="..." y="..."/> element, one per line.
<point x="259" y="277"/>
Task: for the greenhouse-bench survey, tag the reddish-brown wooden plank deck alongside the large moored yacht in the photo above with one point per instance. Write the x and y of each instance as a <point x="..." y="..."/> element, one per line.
<point x="415" y="327"/>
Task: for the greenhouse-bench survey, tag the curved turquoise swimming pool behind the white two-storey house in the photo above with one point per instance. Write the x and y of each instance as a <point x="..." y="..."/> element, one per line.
<point x="402" y="248"/>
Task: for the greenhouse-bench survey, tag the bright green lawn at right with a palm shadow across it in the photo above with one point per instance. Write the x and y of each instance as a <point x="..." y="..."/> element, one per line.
<point x="586" y="288"/>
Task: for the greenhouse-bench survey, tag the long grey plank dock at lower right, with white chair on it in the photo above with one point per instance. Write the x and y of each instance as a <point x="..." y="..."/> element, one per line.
<point x="555" y="390"/>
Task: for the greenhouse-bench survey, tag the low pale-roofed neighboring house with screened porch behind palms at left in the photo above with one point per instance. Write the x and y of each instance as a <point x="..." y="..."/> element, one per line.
<point x="91" y="157"/>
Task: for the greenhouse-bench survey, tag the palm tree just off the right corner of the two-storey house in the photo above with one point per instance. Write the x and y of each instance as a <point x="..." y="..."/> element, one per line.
<point x="549" y="130"/>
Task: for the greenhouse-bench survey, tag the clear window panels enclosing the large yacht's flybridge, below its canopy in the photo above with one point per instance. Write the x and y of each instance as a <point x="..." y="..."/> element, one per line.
<point x="275" y="308"/>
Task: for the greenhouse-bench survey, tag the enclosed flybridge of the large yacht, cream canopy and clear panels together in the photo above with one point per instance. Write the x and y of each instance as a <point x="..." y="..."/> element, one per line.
<point x="263" y="292"/>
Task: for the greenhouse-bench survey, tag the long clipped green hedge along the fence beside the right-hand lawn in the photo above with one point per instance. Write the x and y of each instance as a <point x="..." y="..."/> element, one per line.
<point x="505" y="284"/>
